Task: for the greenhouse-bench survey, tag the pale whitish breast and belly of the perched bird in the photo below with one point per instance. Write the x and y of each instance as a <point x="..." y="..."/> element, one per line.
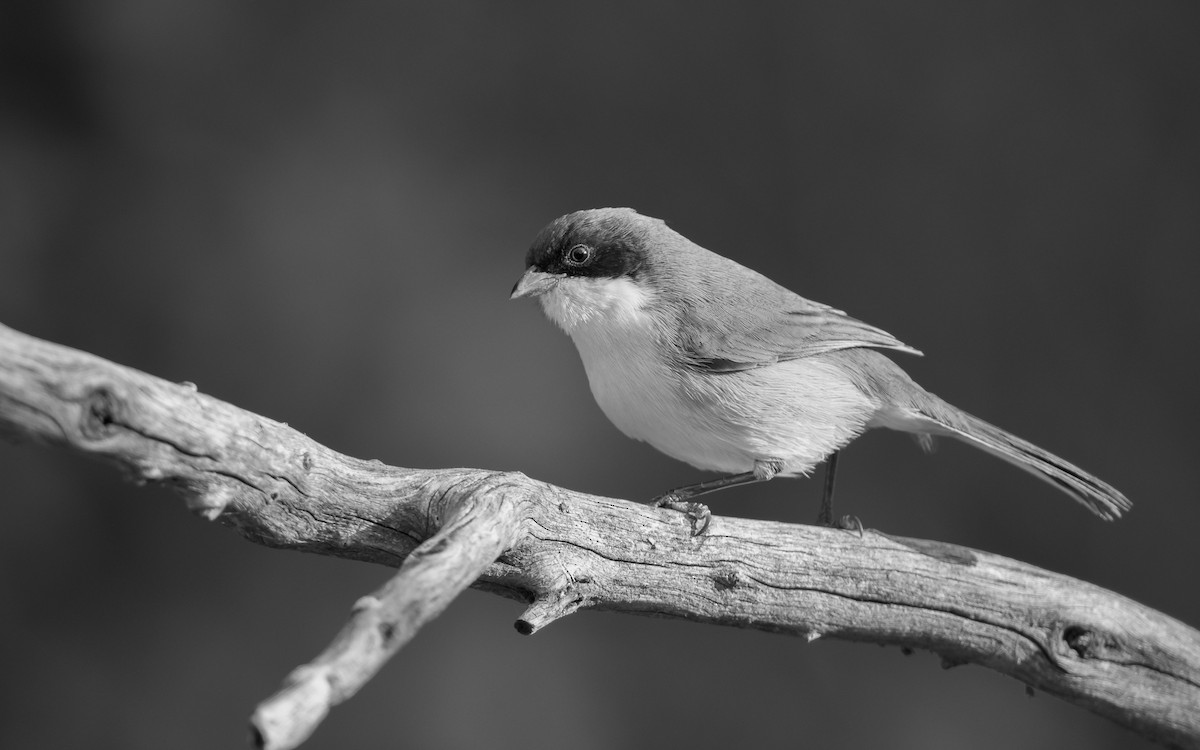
<point x="797" y="413"/>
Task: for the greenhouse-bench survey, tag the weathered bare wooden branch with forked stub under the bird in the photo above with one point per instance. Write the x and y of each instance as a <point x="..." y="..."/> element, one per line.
<point x="562" y="551"/>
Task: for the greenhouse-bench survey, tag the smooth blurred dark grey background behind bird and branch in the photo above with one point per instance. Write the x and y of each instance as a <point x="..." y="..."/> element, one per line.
<point x="316" y="211"/>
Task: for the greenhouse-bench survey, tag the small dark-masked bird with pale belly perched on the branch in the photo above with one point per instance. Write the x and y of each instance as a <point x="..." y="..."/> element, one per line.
<point x="718" y="367"/>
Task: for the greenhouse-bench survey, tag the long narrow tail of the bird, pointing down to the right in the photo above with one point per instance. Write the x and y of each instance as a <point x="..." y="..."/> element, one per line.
<point x="941" y="418"/>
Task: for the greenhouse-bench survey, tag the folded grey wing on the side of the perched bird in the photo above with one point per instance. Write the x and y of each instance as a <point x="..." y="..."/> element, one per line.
<point x="734" y="333"/>
